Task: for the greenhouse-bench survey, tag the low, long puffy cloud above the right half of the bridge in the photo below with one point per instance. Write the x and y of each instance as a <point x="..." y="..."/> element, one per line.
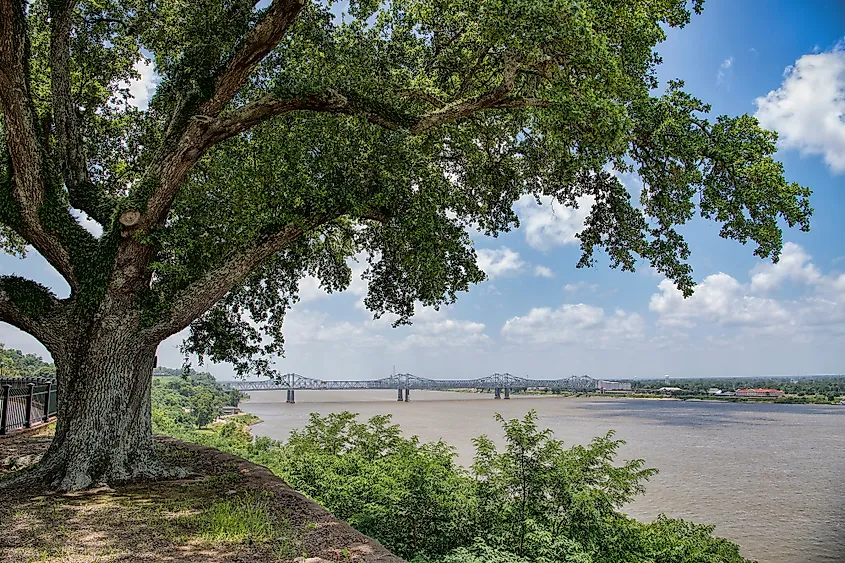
<point x="574" y="323"/>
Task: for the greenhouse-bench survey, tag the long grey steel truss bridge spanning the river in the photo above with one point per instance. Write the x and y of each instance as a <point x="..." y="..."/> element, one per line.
<point x="500" y="383"/>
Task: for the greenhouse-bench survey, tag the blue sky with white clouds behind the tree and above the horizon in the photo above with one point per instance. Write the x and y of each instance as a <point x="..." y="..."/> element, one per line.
<point x="539" y="316"/>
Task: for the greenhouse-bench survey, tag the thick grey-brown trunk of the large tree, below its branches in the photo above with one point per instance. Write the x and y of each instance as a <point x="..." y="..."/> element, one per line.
<point x="103" y="428"/>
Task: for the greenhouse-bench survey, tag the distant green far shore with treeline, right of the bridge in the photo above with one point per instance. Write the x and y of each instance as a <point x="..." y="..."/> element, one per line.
<point x="833" y="386"/>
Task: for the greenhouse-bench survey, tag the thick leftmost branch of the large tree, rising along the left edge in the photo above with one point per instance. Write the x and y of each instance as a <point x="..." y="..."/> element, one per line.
<point x="28" y="182"/>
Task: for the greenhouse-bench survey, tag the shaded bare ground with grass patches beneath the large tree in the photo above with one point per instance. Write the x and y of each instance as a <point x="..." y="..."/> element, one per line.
<point x="229" y="510"/>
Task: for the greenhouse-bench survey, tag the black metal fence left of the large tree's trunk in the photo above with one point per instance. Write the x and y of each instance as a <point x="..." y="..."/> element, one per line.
<point x="26" y="402"/>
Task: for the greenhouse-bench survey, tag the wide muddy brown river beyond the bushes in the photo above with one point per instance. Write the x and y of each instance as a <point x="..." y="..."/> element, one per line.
<point x="770" y="477"/>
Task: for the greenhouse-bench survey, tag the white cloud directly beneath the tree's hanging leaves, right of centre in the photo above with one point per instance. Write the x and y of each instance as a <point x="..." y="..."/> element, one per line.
<point x="551" y="224"/>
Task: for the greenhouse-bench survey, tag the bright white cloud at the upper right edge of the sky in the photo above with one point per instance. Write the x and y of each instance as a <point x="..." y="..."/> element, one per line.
<point x="808" y="110"/>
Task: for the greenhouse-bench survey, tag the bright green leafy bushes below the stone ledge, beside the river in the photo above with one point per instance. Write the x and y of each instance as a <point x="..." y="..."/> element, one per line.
<point x="532" y="501"/>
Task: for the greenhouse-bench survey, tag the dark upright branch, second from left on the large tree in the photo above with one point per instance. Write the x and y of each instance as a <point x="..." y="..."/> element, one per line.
<point x="82" y="193"/>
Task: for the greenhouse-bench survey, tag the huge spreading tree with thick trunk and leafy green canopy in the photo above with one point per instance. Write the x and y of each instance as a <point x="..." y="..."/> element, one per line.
<point x="283" y="140"/>
